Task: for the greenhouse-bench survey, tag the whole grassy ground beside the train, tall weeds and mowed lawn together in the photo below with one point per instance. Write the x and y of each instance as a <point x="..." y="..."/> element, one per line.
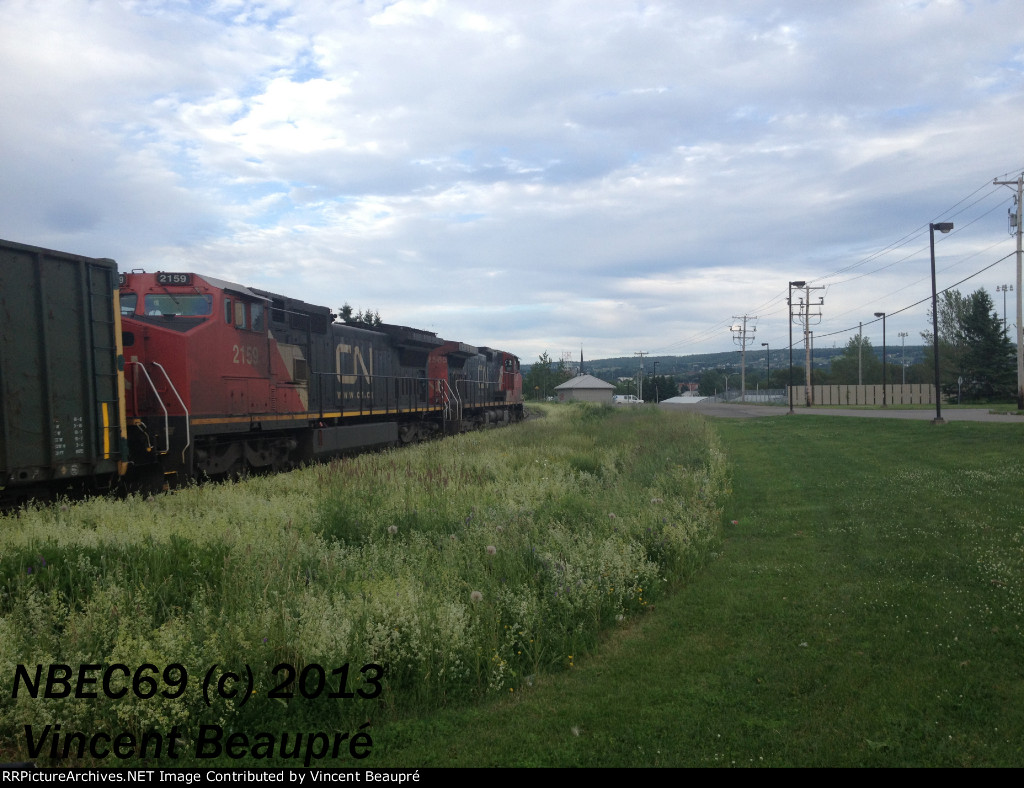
<point x="859" y="601"/>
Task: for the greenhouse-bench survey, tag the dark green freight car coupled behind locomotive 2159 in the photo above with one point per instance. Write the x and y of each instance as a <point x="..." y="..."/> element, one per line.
<point x="62" y="382"/>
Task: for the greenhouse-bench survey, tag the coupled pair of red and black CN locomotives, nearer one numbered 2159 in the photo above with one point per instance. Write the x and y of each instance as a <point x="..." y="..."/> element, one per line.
<point x="222" y="379"/>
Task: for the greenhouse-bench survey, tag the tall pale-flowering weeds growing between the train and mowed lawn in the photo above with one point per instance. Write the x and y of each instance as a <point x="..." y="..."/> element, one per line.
<point x="465" y="567"/>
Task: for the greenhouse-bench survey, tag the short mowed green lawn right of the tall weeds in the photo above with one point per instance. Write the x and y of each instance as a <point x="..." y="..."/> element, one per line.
<point x="865" y="608"/>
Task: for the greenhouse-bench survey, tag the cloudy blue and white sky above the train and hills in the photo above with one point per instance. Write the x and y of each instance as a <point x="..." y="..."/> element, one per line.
<point x="605" y="177"/>
